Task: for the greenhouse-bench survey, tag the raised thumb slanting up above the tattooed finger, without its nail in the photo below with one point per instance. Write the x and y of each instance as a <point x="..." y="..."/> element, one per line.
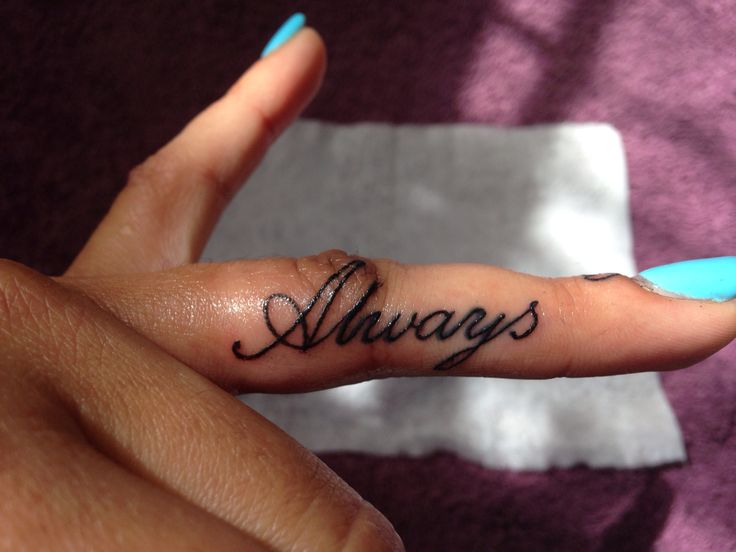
<point x="165" y="213"/>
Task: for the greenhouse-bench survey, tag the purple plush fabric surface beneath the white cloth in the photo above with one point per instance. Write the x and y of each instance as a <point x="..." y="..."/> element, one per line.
<point x="90" y="90"/>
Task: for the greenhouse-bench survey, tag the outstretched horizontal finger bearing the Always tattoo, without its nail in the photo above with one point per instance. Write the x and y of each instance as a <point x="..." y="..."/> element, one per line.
<point x="298" y="324"/>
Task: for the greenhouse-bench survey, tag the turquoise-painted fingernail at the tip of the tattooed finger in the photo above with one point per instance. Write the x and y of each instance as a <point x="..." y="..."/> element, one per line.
<point x="711" y="279"/>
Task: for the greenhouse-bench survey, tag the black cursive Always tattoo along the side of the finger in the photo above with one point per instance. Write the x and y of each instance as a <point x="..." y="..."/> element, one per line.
<point x="365" y="327"/>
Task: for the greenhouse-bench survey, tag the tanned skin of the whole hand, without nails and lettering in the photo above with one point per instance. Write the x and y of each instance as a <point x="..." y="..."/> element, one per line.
<point x="115" y="430"/>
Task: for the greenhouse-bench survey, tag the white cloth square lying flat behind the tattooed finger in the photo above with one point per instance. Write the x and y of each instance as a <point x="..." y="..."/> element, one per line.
<point x="549" y="200"/>
